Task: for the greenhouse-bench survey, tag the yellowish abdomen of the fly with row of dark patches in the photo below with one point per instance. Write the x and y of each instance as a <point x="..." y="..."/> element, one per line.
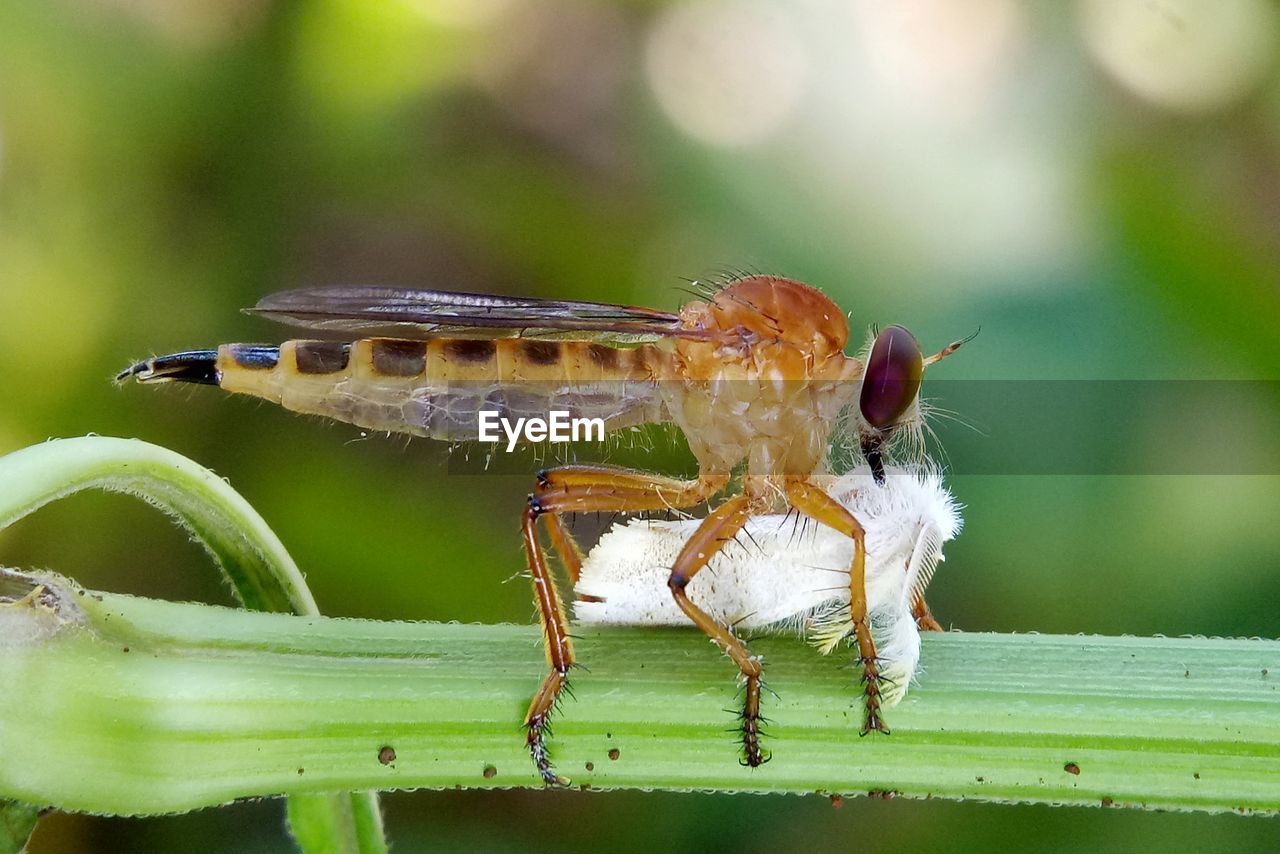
<point x="437" y="389"/>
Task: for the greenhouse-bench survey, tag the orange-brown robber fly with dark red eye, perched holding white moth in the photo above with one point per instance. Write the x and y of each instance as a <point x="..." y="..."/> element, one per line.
<point x="756" y="373"/>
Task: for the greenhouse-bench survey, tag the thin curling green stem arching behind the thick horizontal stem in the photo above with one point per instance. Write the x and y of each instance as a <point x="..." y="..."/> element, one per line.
<point x="252" y="556"/>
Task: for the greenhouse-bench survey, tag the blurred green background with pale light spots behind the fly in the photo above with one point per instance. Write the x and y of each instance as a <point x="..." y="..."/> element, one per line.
<point x="1096" y="185"/>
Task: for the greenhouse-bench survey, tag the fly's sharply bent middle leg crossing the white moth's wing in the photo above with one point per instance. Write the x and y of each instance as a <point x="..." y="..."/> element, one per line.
<point x="717" y="529"/>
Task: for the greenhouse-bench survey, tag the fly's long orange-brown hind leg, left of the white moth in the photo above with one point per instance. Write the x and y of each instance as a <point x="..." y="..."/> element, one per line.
<point x="583" y="490"/>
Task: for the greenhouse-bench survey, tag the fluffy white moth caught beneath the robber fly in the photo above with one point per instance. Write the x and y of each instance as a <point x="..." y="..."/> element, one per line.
<point x="790" y="574"/>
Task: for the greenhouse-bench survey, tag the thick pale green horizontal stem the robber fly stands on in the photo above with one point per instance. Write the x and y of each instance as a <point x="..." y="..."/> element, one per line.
<point x="131" y="706"/>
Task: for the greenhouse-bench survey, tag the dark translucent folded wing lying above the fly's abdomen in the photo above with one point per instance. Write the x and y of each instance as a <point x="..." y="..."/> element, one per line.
<point x="408" y="313"/>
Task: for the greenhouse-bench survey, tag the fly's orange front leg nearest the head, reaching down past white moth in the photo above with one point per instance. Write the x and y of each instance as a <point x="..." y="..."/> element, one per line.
<point x="819" y="505"/>
